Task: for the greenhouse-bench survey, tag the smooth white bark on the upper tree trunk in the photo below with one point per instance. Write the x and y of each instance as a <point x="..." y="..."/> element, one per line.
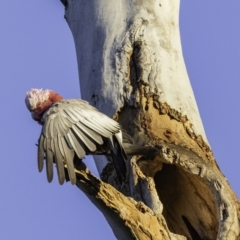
<point x="105" y="33"/>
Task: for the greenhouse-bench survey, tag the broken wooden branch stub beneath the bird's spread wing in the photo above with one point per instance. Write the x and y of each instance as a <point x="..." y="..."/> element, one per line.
<point x="128" y="219"/>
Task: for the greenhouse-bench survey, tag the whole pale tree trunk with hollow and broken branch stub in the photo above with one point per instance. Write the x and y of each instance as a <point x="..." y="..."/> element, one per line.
<point x="131" y="68"/>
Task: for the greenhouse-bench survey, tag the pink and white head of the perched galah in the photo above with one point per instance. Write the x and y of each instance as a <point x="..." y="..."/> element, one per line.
<point x="38" y="101"/>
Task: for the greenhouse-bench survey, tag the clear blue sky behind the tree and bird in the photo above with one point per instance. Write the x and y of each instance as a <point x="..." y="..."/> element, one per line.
<point x="37" y="50"/>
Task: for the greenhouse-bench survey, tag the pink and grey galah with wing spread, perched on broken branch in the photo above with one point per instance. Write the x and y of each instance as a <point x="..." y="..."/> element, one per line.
<point x="72" y="128"/>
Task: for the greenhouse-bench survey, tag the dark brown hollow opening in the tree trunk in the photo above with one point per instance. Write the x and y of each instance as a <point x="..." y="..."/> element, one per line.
<point x="189" y="206"/>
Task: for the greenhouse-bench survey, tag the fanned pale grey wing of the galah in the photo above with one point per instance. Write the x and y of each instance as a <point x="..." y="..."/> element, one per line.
<point x="71" y="127"/>
